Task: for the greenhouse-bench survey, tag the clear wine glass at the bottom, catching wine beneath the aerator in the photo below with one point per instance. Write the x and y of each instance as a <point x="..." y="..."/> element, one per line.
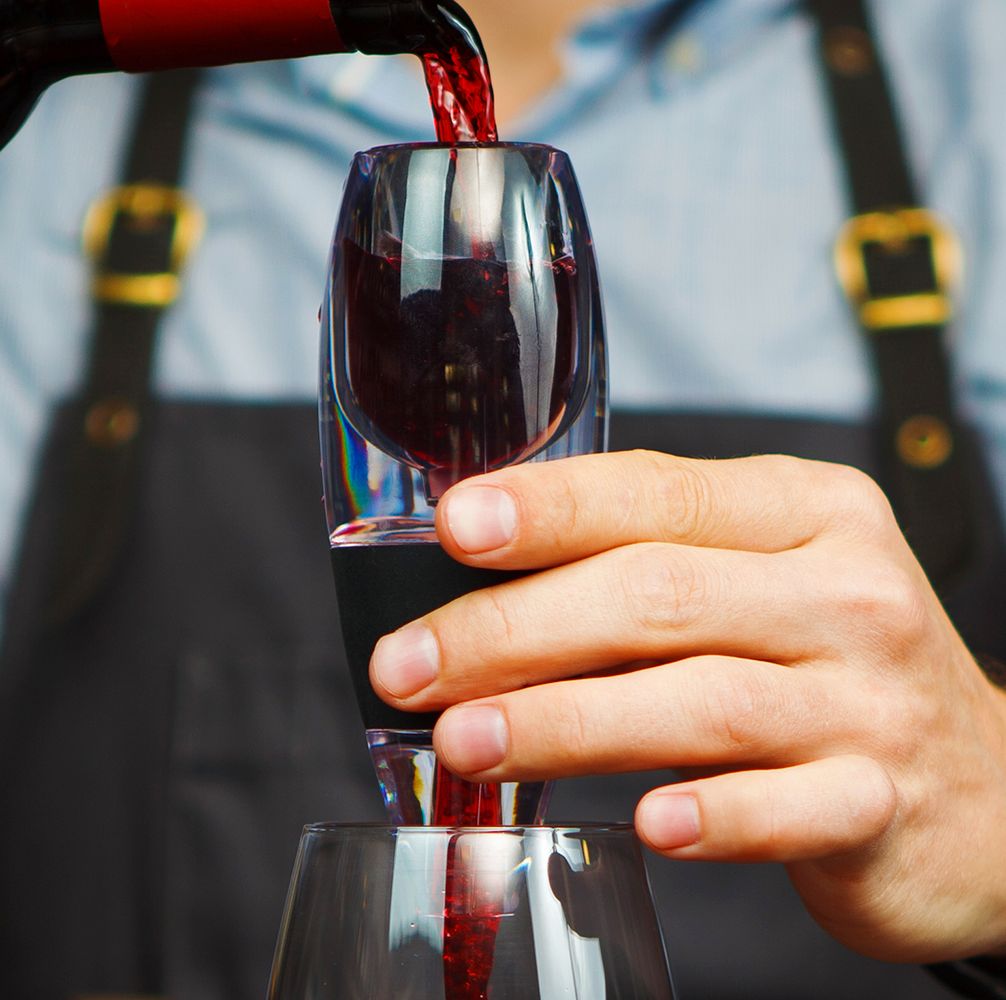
<point x="519" y="914"/>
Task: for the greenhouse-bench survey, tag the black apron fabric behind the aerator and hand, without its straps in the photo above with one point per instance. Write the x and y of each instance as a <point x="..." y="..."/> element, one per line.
<point x="162" y="746"/>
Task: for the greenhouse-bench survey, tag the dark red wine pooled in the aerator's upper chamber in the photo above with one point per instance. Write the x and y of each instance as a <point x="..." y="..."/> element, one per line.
<point x="464" y="378"/>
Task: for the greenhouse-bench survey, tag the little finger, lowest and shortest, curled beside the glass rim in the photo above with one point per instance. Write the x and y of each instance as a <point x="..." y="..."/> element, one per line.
<point x="812" y="810"/>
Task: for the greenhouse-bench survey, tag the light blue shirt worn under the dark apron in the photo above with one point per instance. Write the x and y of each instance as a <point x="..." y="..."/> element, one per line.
<point x="709" y="172"/>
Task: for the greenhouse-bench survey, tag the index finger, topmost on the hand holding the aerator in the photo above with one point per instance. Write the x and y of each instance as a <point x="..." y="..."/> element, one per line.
<point x="543" y="515"/>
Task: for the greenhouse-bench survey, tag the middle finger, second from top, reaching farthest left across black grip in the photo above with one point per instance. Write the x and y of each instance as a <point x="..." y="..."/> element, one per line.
<point x="643" y="602"/>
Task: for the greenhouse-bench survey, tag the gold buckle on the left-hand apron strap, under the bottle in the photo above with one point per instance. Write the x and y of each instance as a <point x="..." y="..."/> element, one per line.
<point x="146" y="206"/>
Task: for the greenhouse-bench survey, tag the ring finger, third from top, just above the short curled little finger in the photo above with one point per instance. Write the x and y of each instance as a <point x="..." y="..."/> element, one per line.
<point x="709" y="712"/>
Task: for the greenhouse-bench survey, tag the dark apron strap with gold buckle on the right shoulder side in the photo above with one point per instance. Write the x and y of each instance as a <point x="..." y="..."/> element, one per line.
<point x="898" y="265"/>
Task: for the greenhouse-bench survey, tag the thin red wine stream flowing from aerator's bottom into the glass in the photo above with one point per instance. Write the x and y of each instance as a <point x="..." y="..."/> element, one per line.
<point x="472" y="905"/>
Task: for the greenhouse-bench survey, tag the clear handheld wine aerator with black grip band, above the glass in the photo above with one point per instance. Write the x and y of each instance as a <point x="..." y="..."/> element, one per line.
<point x="461" y="334"/>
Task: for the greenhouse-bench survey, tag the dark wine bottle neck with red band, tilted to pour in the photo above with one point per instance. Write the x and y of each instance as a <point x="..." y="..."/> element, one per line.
<point x="43" y="42"/>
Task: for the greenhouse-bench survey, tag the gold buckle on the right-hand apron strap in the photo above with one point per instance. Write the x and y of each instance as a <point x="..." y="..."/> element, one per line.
<point x="894" y="231"/>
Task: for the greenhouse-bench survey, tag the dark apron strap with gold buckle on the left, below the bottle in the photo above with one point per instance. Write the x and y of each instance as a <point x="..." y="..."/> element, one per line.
<point x="137" y="238"/>
